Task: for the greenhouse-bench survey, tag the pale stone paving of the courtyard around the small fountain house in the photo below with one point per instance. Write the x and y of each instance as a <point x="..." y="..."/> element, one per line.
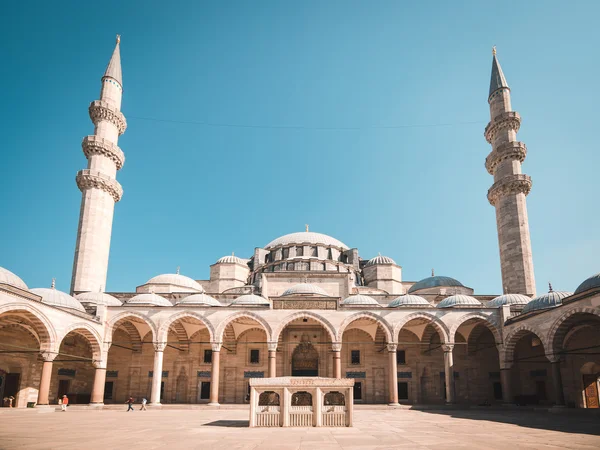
<point x="227" y="429"/>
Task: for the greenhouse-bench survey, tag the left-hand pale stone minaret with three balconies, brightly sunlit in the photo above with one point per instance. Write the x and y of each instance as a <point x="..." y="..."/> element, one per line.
<point x="98" y="185"/>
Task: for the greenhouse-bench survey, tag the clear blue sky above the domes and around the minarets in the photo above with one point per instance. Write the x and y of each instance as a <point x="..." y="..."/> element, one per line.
<point x="386" y="103"/>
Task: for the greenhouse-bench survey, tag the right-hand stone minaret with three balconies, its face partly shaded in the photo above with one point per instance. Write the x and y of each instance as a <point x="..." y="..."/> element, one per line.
<point x="510" y="187"/>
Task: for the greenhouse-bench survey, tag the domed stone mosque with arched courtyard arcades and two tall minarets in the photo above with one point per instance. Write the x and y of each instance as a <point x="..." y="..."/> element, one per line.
<point x="304" y="304"/>
